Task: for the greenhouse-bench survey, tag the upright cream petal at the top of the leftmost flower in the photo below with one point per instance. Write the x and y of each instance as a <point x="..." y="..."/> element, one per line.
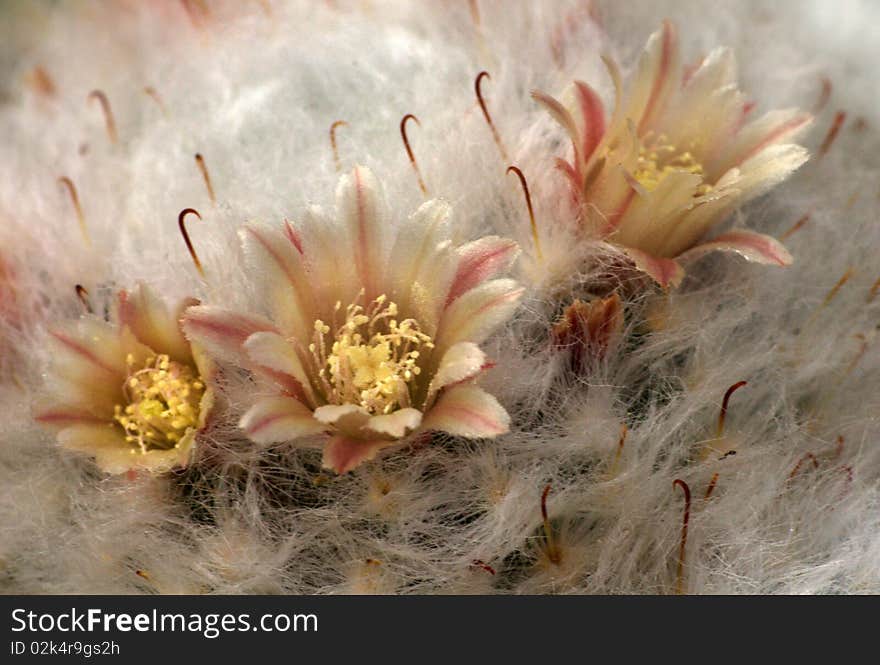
<point x="151" y="321"/>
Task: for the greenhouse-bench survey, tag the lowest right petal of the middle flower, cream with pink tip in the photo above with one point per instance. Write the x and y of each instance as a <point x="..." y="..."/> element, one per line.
<point x="467" y="411"/>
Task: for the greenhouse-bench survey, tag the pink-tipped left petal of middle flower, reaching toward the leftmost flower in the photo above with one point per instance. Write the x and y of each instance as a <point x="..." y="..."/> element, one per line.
<point x="222" y="333"/>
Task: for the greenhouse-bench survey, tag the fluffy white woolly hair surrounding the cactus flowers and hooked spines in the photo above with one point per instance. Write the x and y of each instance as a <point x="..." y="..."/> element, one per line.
<point x="254" y="89"/>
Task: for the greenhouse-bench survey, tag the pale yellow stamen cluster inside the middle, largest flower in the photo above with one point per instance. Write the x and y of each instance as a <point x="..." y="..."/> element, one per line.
<point x="371" y="358"/>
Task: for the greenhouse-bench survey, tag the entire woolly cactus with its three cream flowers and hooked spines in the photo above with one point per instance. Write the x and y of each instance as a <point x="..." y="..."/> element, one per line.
<point x="411" y="368"/>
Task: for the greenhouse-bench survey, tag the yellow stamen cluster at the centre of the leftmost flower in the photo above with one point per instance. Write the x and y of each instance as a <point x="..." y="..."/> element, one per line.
<point x="163" y="403"/>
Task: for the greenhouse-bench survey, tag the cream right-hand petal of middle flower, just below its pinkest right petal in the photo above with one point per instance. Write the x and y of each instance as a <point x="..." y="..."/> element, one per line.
<point x="474" y="315"/>
